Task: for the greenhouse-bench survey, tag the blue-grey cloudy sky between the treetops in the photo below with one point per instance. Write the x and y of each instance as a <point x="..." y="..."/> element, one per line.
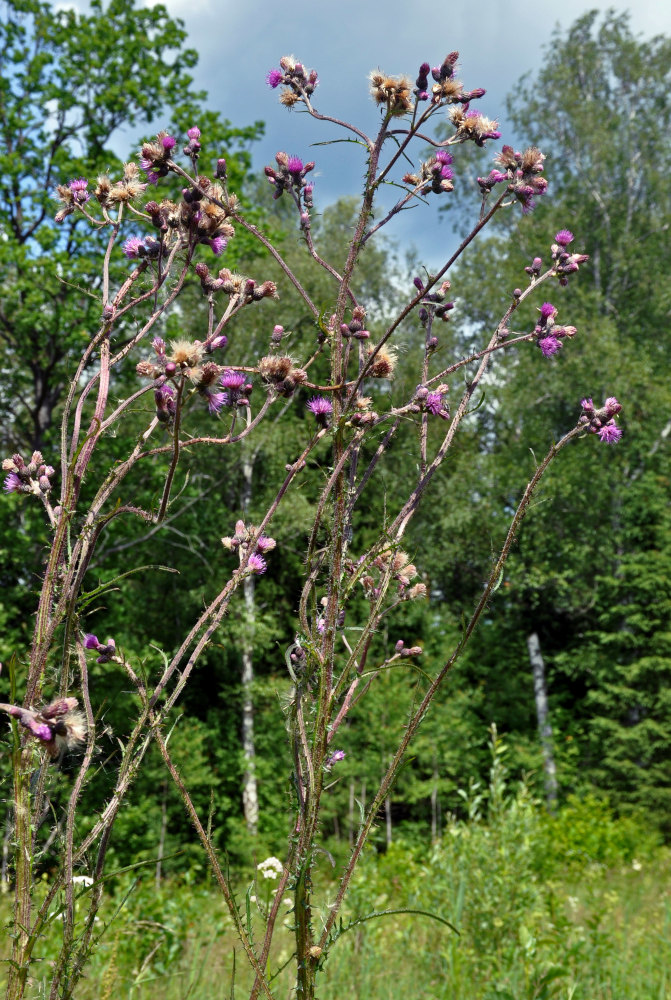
<point x="344" y="40"/>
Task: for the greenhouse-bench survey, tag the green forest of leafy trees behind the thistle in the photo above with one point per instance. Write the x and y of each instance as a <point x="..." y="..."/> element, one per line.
<point x="590" y="576"/>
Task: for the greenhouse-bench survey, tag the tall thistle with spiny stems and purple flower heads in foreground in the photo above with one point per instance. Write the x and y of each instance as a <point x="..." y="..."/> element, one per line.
<point x="335" y="657"/>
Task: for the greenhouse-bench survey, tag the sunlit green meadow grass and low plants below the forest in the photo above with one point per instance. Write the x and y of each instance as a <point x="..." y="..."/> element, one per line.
<point x="576" y="907"/>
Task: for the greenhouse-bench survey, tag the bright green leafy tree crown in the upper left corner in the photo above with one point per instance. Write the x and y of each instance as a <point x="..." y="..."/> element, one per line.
<point x="71" y="85"/>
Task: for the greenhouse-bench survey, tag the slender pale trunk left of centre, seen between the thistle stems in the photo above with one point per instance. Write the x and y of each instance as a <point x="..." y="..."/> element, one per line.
<point x="250" y="798"/>
